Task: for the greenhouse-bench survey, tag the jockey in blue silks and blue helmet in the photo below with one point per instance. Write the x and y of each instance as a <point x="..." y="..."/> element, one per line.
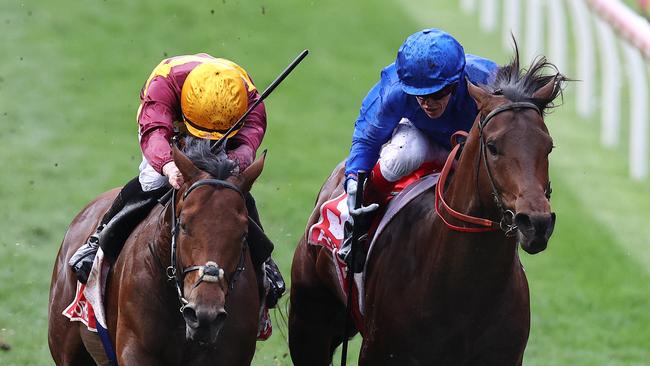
<point x="408" y="117"/>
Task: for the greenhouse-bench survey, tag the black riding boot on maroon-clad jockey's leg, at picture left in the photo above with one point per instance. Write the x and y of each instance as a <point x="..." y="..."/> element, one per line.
<point x="131" y="205"/>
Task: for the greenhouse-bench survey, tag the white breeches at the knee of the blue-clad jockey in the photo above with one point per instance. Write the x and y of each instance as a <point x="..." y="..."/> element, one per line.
<point x="407" y="150"/>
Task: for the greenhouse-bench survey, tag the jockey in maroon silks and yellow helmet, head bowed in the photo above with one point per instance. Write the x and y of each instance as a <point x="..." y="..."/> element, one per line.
<point x="193" y="95"/>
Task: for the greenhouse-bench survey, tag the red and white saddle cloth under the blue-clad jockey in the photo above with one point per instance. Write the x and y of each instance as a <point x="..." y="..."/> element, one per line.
<point x="328" y="231"/>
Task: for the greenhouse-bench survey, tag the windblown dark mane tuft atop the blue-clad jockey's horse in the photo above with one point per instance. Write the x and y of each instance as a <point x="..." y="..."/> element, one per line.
<point x="519" y="85"/>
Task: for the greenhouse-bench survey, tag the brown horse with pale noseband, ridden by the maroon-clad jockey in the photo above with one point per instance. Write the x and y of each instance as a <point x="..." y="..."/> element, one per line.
<point x="218" y="292"/>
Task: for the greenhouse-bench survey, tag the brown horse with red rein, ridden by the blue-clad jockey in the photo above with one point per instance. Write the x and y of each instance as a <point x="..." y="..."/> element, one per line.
<point x="446" y="286"/>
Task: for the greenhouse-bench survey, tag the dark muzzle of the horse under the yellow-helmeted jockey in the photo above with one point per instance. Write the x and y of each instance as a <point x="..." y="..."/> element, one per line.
<point x="203" y="324"/>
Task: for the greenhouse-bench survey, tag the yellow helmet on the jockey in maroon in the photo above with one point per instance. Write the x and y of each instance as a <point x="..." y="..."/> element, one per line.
<point x="213" y="98"/>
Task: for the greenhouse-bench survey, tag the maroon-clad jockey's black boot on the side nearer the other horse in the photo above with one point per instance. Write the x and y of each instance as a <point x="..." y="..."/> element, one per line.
<point x="261" y="249"/>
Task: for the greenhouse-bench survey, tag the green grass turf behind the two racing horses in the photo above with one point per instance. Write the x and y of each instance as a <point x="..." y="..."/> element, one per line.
<point x="70" y="73"/>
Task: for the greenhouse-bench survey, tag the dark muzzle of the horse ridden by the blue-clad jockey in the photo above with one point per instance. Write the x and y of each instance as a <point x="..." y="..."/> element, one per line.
<point x="534" y="230"/>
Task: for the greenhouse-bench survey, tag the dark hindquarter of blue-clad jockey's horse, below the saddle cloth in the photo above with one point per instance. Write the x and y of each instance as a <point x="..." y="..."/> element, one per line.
<point x="316" y="315"/>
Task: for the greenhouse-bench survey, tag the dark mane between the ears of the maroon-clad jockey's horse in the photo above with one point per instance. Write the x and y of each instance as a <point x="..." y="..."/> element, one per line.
<point x="214" y="163"/>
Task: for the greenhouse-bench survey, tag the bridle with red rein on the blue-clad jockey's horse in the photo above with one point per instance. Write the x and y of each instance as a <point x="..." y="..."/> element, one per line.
<point x="506" y="224"/>
